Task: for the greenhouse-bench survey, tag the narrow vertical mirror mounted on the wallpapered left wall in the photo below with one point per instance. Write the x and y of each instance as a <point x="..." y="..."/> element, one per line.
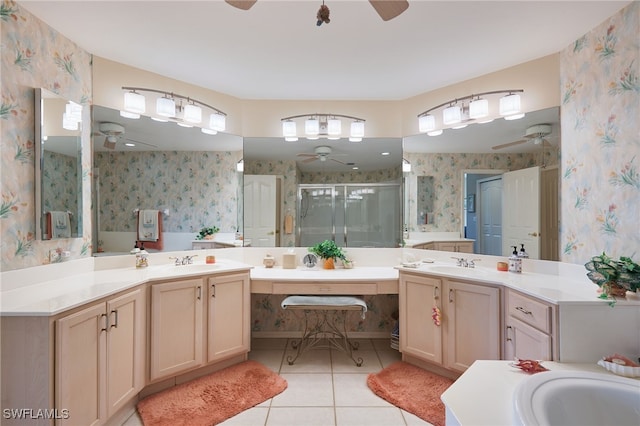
<point x="58" y="174"/>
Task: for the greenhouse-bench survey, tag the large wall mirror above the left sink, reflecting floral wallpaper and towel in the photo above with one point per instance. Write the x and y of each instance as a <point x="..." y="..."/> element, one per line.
<point x="190" y="177"/>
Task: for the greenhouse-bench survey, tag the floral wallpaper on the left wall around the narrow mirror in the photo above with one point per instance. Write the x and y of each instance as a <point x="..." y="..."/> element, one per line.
<point x="35" y="56"/>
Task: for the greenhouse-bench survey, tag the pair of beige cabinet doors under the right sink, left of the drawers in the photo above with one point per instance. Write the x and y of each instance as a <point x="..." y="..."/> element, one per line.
<point x="469" y="320"/>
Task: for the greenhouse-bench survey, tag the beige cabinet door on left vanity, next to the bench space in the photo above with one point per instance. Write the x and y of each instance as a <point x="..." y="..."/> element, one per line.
<point x="229" y="316"/>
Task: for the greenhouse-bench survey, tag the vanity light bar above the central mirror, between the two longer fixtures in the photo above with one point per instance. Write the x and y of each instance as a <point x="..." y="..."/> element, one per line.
<point x="322" y="125"/>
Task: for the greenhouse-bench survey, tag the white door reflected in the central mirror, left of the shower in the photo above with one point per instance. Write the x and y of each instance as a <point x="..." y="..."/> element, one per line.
<point x="260" y="210"/>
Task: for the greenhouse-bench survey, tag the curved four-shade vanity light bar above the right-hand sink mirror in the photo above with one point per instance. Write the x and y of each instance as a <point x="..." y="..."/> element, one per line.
<point x="456" y="114"/>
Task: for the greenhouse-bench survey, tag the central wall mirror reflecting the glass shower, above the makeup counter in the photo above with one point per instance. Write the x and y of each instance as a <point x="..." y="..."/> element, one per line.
<point x="320" y="188"/>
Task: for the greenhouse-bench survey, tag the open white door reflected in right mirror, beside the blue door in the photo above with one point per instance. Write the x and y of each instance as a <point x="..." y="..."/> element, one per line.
<point x="521" y="211"/>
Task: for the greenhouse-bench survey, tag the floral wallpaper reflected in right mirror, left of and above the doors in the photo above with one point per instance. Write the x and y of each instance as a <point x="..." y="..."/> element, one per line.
<point x="446" y="170"/>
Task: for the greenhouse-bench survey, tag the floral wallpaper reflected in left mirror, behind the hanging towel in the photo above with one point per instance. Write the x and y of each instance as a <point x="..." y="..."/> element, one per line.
<point x="199" y="188"/>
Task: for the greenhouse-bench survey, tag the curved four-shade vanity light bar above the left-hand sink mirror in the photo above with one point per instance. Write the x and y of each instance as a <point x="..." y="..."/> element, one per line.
<point x="176" y="108"/>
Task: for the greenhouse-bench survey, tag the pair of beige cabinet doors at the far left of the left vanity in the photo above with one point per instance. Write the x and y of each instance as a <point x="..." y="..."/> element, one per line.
<point x="99" y="363"/>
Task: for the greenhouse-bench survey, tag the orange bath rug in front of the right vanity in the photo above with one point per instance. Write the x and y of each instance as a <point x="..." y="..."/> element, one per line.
<point x="413" y="389"/>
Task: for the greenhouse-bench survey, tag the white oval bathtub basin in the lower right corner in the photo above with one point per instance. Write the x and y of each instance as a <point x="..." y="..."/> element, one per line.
<point x="577" y="398"/>
